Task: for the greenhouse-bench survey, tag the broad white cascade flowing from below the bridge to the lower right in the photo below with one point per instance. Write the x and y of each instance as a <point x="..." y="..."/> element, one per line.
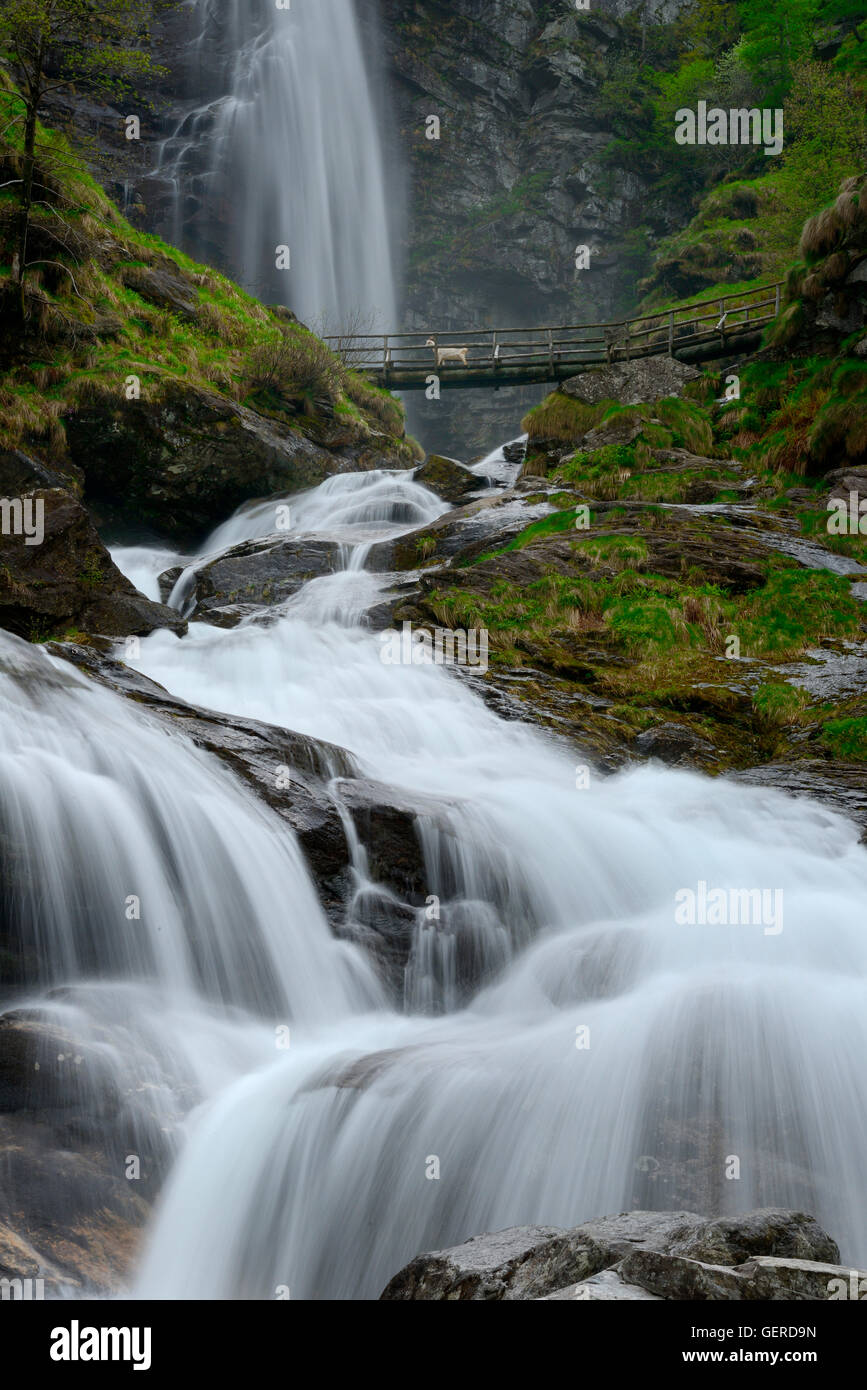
<point x="566" y="1046"/>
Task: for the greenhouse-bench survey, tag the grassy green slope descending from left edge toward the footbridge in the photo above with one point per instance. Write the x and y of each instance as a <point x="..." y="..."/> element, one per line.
<point x="108" y="304"/>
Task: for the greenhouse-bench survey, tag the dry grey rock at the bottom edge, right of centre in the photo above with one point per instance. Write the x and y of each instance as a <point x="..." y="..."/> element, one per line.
<point x="537" y="1261"/>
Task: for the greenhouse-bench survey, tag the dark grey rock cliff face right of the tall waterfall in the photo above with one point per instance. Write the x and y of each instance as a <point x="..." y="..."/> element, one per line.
<point x="516" y="181"/>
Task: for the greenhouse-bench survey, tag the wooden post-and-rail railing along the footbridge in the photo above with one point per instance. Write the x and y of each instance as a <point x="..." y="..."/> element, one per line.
<point x="568" y="344"/>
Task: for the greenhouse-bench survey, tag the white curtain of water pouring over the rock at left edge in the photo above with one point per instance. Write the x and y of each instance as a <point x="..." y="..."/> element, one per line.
<point x="149" y="908"/>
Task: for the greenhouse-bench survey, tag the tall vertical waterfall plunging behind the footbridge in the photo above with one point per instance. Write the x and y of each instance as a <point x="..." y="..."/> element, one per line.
<point x="295" y="159"/>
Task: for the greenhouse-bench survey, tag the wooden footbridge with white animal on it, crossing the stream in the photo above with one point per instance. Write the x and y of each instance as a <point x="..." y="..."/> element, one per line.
<point x="495" y="358"/>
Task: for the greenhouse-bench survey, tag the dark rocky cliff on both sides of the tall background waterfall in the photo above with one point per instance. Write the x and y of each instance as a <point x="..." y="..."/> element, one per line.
<point x="498" y="205"/>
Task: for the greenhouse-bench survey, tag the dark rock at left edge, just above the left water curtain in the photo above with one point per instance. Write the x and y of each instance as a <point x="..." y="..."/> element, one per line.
<point x="69" y="582"/>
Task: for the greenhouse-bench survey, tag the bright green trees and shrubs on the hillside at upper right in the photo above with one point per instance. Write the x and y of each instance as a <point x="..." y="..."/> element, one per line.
<point x="808" y="58"/>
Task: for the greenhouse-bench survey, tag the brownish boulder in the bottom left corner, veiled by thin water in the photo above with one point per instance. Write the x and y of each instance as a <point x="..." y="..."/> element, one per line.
<point x="70" y="1115"/>
